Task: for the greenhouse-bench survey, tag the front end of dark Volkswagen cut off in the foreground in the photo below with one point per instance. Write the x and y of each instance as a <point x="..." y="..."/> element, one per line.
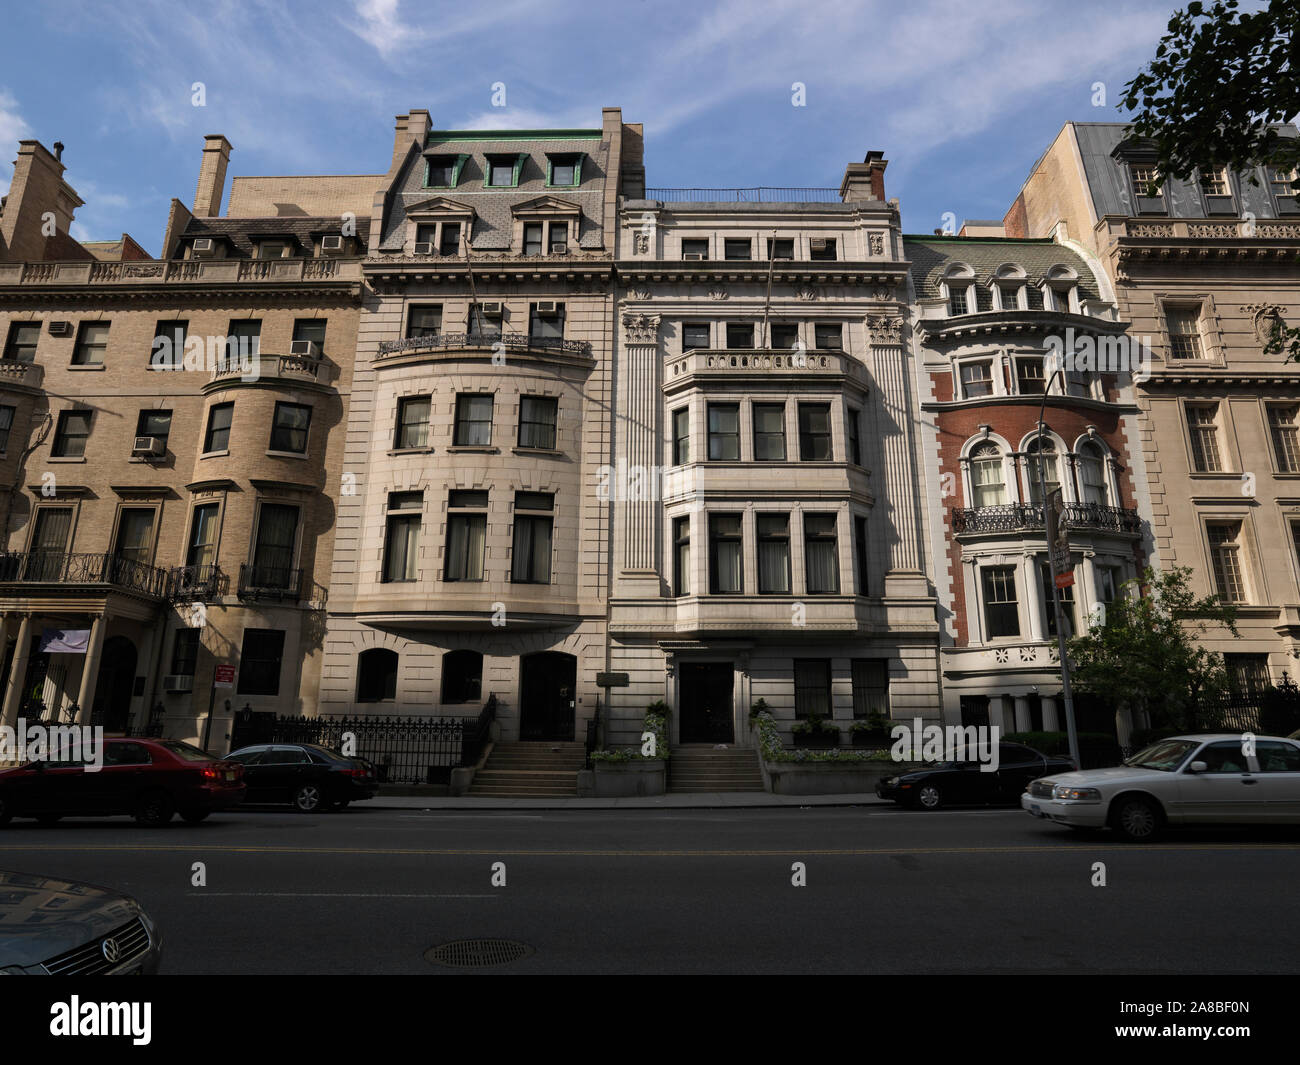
<point x="50" y="927"/>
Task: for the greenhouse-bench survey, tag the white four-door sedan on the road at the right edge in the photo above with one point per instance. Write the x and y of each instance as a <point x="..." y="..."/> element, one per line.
<point x="1219" y="780"/>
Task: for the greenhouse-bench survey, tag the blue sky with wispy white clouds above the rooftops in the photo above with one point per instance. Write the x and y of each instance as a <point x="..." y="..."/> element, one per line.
<point x="963" y="98"/>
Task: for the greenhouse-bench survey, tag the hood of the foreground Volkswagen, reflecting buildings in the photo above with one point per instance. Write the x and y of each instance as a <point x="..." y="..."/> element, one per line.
<point x="42" y="916"/>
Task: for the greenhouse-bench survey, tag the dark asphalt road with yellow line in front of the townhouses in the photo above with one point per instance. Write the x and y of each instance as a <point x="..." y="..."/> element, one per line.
<point x="688" y="891"/>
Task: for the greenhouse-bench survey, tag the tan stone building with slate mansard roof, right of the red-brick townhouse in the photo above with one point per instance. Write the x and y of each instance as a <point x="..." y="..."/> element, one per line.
<point x="1204" y="270"/>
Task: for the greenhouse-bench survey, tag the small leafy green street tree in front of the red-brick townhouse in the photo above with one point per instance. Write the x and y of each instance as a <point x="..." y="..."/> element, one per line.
<point x="1147" y="653"/>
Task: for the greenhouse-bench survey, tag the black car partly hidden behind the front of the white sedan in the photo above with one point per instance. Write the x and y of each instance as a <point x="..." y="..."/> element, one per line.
<point x="961" y="782"/>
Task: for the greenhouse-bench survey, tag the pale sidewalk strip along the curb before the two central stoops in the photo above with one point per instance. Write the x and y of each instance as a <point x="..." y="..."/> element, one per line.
<point x="679" y="802"/>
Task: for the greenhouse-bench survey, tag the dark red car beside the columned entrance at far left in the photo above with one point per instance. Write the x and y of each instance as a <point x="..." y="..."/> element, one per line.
<point x="149" y="780"/>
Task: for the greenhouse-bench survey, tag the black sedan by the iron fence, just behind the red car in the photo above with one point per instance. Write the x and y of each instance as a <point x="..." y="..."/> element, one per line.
<point x="309" y="776"/>
